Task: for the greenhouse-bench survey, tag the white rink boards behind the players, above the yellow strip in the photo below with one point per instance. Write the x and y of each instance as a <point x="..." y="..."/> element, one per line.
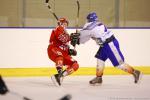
<point x="23" y="47"/>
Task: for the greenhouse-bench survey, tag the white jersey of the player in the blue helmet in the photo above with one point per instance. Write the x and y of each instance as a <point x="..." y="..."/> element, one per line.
<point x="95" y="30"/>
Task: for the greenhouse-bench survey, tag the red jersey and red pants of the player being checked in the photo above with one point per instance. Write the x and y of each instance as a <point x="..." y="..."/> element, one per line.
<point x="59" y="46"/>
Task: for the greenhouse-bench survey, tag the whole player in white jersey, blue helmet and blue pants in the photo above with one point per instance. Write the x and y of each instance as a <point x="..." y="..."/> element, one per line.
<point x="108" y="47"/>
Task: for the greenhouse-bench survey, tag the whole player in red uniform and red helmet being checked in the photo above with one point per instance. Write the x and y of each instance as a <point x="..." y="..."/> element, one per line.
<point x="60" y="53"/>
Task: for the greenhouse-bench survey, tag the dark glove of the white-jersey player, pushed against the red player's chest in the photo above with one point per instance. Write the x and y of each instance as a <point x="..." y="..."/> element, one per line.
<point x="74" y="38"/>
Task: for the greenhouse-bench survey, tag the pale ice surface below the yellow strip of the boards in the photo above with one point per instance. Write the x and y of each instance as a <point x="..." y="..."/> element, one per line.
<point x="114" y="87"/>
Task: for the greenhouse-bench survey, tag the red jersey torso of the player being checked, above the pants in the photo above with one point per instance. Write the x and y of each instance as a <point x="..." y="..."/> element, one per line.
<point x="60" y="38"/>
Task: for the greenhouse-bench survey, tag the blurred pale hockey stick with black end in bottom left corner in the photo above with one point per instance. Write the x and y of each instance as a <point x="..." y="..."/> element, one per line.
<point x="4" y="90"/>
